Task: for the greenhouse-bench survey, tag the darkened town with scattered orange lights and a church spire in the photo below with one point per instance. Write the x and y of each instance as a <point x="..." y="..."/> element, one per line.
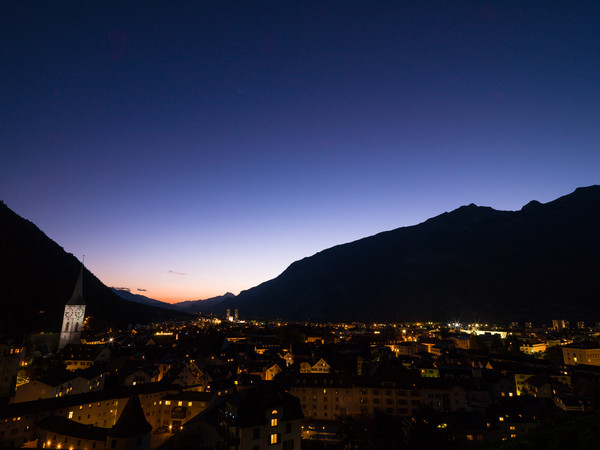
<point x="228" y="383"/>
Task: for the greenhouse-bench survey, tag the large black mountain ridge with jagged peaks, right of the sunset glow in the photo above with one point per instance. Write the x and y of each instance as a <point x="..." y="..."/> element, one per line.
<point x="474" y="263"/>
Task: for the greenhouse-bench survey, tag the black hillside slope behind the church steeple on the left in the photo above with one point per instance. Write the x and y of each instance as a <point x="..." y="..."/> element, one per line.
<point x="37" y="278"/>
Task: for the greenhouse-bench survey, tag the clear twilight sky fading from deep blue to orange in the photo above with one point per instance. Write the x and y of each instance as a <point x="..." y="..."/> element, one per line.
<point x="192" y="148"/>
